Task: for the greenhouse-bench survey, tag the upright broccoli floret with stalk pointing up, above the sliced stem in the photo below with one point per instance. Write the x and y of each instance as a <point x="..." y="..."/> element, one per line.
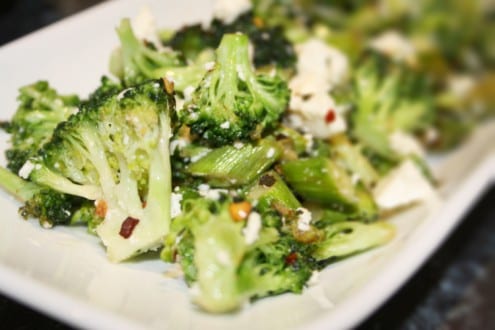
<point x="233" y="102"/>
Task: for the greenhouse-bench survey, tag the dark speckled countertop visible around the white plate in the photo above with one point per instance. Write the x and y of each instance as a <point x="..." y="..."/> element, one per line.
<point x="453" y="290"/>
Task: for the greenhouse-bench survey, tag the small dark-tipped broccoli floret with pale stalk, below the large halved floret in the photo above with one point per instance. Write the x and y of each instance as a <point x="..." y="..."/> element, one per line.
<point x="49" y="206"/>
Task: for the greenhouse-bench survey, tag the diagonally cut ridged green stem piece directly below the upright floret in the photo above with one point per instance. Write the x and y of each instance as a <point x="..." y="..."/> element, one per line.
<point x="229" y="166"/>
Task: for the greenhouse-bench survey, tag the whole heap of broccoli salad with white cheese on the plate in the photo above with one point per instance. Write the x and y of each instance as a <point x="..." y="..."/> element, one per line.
<point x="257" y="148"/>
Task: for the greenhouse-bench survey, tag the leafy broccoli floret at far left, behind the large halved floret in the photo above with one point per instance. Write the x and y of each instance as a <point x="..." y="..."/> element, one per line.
<point x="40" y="110"/>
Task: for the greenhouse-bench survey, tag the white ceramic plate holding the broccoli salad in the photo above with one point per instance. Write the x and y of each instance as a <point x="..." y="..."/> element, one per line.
<point x="63" y="272"/>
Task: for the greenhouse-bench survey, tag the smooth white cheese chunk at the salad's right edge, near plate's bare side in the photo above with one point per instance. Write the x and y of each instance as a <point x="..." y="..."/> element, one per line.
<point x="402" y="186"/>
